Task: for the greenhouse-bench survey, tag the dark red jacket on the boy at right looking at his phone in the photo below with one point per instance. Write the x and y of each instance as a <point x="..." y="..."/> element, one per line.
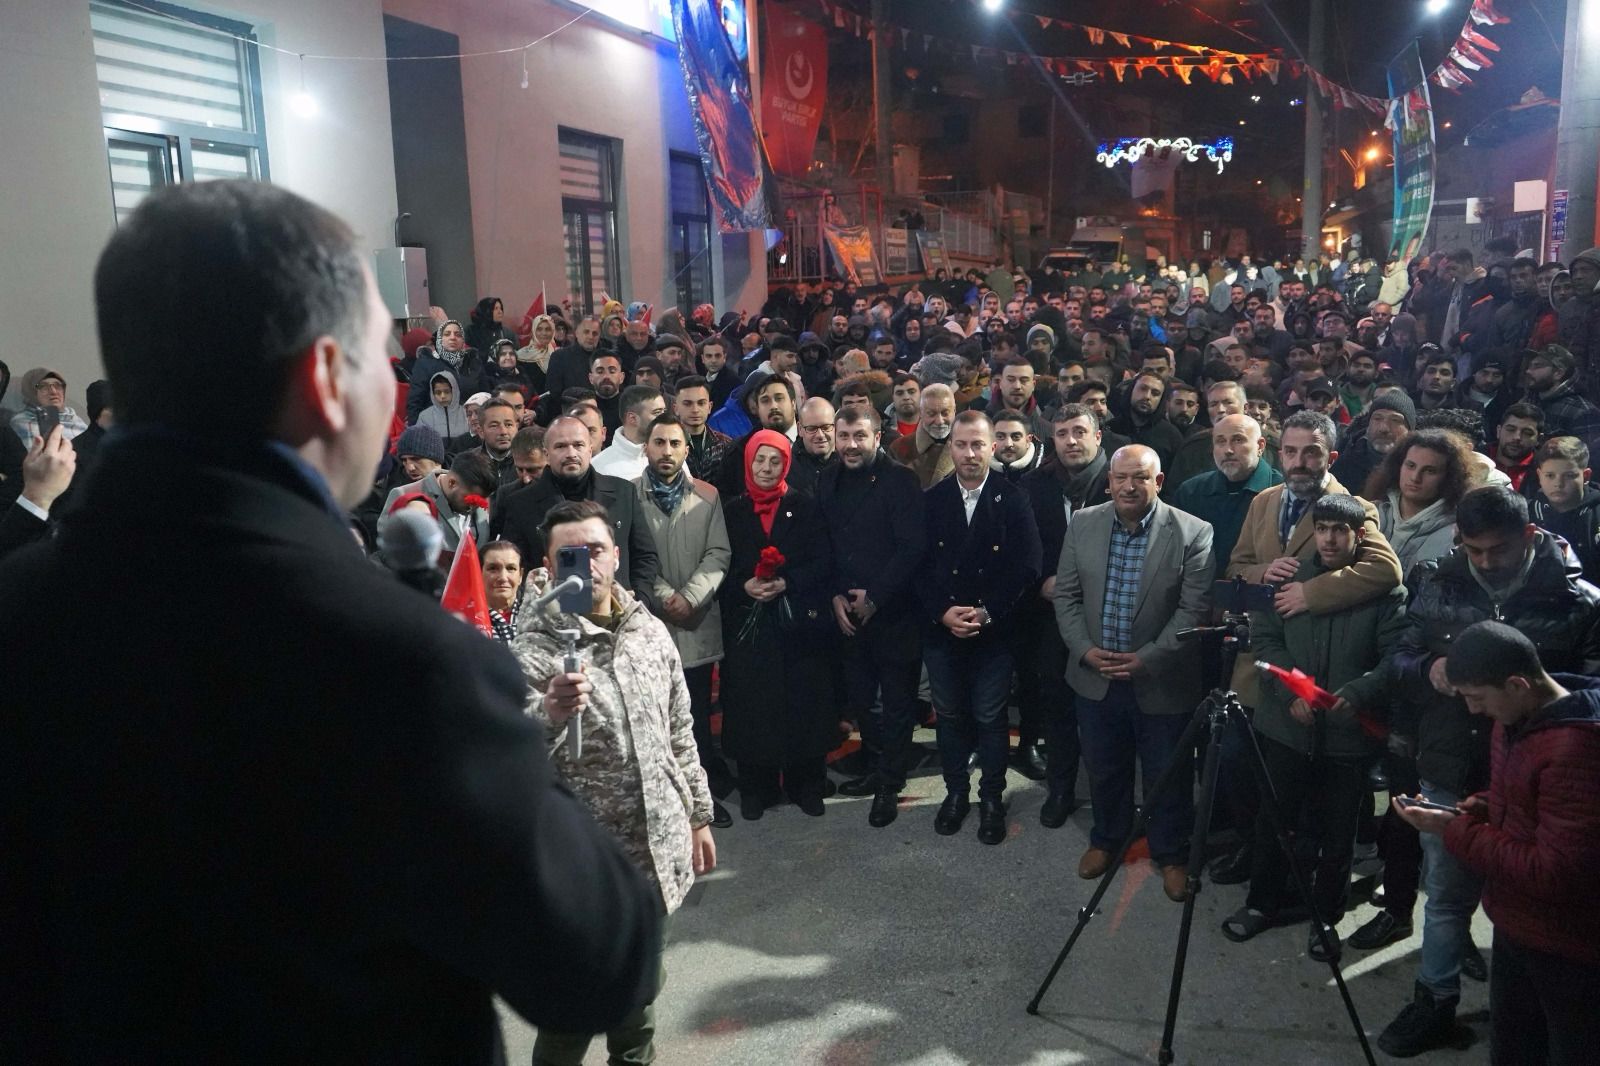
<point x="1537" y="844"/>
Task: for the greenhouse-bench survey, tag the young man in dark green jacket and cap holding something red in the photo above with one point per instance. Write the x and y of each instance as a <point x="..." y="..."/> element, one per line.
<point x="1318" y="759"/>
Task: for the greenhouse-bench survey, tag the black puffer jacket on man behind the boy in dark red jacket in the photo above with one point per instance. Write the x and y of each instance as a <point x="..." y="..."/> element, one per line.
<point x="1556" y="609"/>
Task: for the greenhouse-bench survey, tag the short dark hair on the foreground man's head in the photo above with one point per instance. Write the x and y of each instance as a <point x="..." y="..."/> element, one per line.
<point x="209" y="294"/>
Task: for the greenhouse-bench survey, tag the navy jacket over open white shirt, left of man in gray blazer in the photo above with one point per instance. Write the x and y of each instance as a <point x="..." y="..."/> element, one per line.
<point x="993" y="563"/>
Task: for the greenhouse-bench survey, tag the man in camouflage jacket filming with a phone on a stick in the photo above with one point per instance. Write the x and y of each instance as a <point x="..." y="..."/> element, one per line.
<point x="639" y="769"/>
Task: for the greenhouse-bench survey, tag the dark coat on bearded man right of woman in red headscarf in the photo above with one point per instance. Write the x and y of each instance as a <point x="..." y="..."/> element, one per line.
<point x="879" y="543"/>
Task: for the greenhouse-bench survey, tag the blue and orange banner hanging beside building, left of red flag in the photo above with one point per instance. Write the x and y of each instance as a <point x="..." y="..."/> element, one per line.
<point x="719" y="90"/>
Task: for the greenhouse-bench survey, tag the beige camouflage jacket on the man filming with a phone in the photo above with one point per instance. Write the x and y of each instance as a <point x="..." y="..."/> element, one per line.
<point x="639" y="772"/>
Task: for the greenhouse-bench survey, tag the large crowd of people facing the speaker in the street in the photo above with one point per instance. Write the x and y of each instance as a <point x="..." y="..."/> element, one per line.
<point x="858" y="513"/>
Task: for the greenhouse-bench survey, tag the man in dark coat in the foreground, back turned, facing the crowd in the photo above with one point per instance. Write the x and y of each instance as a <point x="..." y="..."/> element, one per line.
<point x="254" y="833"/>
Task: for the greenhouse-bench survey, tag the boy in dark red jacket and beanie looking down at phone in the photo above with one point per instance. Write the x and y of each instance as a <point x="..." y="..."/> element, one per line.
<point x="1535" y="840"/>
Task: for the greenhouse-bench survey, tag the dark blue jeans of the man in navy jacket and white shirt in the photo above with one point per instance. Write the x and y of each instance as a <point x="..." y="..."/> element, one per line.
<point x="972" y="683"/>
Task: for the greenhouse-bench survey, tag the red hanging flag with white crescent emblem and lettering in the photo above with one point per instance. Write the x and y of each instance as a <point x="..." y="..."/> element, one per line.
<point x="794" y="89"/>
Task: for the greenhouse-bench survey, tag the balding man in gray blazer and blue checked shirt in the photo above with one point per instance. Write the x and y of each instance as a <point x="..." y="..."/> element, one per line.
<point x="1134" y="572"/>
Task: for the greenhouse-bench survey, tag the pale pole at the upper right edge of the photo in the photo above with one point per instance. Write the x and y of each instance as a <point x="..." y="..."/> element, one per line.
<point x="1578" y="129"/>
